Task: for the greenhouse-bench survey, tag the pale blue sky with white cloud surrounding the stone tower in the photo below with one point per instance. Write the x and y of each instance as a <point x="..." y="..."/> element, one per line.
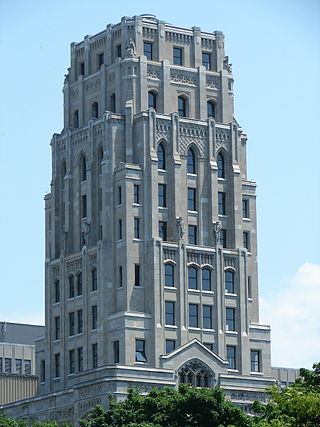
<point x="274" y="48"/>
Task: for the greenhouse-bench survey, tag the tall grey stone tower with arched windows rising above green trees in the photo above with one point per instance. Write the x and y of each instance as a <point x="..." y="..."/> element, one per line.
<point x="151" y="248"/>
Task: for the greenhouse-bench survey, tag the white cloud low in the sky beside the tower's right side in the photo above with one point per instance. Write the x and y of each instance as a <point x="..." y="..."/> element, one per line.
<point x="294" y="316"/>
